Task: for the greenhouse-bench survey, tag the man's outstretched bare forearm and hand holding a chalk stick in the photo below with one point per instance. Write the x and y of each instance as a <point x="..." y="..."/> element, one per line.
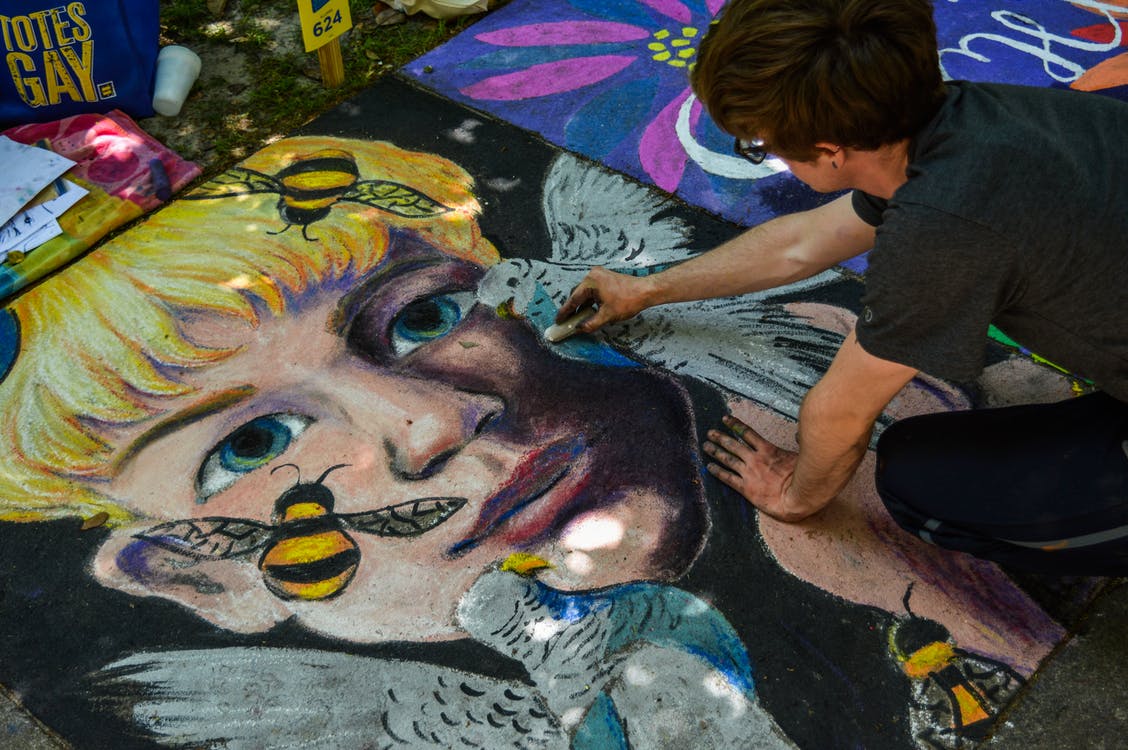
<point x="779" y="252"/>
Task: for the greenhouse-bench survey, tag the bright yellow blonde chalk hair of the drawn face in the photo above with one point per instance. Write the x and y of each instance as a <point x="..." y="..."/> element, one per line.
<point x="101" y="343"/>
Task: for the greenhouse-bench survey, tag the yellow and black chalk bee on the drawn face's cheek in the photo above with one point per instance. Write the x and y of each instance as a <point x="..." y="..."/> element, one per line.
<point x="306" y="552"/>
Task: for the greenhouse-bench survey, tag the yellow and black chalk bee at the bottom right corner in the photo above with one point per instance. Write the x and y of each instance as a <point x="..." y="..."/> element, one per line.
<point x="957" y="695"/>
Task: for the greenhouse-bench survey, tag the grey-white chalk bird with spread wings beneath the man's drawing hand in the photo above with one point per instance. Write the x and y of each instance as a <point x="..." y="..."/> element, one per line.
<point x="750" y="346"/>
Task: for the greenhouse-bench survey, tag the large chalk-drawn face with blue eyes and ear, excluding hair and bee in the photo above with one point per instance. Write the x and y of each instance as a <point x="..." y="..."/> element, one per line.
<point x="415" y="393"/>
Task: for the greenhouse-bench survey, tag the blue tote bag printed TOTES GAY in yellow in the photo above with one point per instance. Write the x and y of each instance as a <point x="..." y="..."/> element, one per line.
<point x="65" y="59"/>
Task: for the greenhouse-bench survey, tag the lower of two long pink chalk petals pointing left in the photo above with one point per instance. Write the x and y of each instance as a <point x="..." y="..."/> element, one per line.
<point x="548" y="78"/>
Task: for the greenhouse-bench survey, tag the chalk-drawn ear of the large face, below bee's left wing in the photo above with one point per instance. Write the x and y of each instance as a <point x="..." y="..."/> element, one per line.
<point x="226" y="593"/>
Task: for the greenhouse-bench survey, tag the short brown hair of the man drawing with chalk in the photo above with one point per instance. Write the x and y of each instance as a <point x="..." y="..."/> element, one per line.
<point x="861" y="74"/>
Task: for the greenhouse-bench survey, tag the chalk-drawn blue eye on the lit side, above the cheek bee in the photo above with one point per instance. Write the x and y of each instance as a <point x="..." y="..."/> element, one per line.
<point x="251" y="447"/>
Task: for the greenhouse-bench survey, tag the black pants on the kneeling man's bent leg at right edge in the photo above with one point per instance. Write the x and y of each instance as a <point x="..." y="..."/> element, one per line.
<point x="1039" y="488"/>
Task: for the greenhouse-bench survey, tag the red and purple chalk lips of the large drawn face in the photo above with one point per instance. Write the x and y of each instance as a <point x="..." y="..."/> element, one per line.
<point x="534" y="478"/>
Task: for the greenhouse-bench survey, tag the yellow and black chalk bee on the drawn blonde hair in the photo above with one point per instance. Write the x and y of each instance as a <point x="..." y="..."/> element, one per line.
<point x="311" y="186"/>
